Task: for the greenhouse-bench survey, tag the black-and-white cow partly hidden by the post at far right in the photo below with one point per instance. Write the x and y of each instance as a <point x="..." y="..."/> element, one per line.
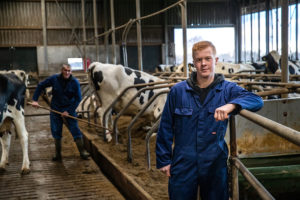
<point x="273" y="64"/>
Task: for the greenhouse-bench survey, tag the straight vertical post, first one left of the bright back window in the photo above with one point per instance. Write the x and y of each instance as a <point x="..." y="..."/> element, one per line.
<point x="139" y="35"/>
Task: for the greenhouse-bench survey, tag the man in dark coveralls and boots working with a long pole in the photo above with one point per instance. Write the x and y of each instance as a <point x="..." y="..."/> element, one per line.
<point x="66" y="97"/>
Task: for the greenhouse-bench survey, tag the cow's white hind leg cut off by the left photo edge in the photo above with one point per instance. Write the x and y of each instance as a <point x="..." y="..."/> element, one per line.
<point x="5" y="143"/>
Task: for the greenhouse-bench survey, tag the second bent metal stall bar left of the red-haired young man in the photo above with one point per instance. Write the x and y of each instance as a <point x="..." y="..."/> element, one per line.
<point x="137" y="116"/>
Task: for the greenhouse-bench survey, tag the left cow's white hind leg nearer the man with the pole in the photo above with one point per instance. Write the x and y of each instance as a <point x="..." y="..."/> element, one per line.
<point x="23" y="135"/>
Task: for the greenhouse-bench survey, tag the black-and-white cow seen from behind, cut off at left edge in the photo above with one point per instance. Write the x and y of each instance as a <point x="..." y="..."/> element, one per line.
<point x="12" y="92"/>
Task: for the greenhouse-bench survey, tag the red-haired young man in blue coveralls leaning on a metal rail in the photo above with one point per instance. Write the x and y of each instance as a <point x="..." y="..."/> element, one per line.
<point x="195" y="119"/>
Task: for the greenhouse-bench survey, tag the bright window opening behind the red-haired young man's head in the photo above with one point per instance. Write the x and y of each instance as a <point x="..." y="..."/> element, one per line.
<point x="225" y="48"/>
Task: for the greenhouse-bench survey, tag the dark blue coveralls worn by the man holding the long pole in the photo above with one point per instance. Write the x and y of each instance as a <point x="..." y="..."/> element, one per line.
<point x="66" y="96"/>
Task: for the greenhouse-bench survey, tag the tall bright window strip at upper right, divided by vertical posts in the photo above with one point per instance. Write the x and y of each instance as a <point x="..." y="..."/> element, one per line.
<point x="274" y="33"/>
